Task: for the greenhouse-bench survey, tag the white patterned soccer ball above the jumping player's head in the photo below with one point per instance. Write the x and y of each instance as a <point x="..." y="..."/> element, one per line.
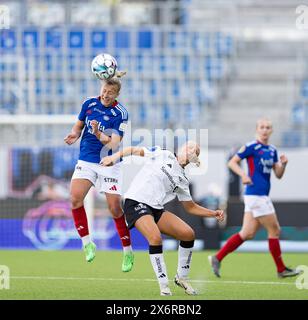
<point x="104" y="66"/>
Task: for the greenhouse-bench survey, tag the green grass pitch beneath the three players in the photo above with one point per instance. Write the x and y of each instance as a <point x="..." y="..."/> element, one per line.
<point x="66" y="275"/>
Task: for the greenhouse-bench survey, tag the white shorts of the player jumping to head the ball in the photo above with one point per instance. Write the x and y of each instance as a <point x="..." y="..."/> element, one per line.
<point x="105" y="179"/>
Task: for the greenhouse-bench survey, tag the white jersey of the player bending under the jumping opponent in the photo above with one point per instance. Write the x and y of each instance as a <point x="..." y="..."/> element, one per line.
<point x="160" y="180"/>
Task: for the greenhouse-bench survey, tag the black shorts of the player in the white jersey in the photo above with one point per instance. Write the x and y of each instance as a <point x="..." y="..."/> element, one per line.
<point x="133" y="210"/>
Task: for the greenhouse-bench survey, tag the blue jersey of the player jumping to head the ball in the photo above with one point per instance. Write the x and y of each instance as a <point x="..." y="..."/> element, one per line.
<point x="110" y="120"/>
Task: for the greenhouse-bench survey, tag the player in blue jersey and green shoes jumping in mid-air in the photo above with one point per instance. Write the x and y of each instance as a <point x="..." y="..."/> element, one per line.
<point x="103" y="121"/>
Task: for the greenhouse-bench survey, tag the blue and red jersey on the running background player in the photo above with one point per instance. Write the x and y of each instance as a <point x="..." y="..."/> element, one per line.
<point x="260" y="159"/>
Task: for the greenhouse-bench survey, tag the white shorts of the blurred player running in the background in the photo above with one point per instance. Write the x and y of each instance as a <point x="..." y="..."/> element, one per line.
<point x="258" y="205"/>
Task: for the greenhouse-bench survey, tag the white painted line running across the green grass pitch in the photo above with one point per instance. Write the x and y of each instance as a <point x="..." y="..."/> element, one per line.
<point x="151" y="280"/>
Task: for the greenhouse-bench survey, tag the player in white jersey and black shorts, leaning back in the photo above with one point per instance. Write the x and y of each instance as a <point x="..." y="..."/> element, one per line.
<point x="160" y="180"/>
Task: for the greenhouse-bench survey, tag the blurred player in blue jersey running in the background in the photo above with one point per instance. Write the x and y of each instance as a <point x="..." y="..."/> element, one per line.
<point x="259" y="210"/>
